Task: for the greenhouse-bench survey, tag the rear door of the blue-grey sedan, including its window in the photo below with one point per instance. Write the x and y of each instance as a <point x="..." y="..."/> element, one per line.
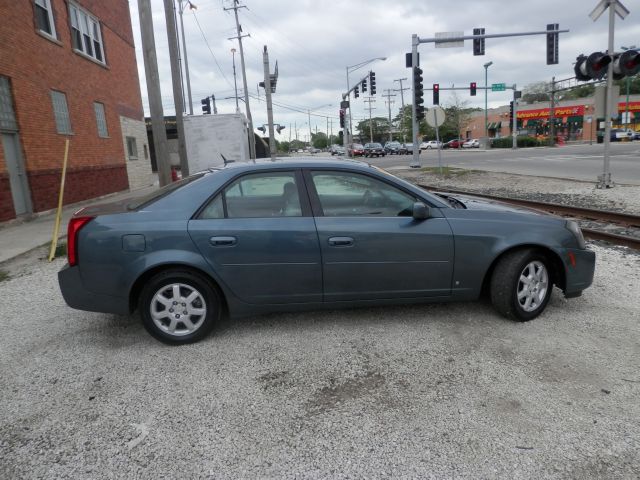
<point x="258" y="234"/>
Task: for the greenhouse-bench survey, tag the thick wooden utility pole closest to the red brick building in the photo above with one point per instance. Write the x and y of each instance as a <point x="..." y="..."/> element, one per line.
<point x="153" y="91"/>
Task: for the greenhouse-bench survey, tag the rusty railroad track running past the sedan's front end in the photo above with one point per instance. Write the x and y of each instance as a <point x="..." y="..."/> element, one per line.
<point x="594" y="215"/>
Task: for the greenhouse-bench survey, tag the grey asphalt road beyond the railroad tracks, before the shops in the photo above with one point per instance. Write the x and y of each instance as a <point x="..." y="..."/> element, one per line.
<point x="579" y="162"/>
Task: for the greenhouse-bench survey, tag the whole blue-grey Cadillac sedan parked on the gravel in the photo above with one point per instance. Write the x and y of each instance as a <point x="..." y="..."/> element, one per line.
<point x="306" y="234"/>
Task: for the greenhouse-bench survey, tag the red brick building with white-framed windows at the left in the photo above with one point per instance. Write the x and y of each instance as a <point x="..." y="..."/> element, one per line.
<point x="68" y="71"/>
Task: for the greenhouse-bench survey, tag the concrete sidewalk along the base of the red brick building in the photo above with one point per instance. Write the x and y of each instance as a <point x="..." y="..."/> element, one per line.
<point x="20" y="236"/>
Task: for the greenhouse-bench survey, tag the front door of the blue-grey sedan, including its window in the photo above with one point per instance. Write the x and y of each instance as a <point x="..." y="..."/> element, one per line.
<point x="372" y="247"/>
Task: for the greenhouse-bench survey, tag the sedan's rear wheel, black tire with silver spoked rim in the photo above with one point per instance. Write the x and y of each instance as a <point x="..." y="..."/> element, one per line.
<point x="188" y="282"/>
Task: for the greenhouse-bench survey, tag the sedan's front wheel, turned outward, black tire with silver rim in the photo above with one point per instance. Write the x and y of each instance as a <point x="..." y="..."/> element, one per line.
<point x="506" y="285"/>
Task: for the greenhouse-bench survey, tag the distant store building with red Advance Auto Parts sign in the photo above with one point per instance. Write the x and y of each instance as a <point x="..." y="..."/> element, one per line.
<point x="574" y="119"/>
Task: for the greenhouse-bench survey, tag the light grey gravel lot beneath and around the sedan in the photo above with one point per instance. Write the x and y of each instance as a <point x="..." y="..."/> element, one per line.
<point x="434" y="391"/>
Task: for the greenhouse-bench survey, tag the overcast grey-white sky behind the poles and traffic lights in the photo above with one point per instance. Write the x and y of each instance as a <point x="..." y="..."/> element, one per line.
<point x="314" y="41"/>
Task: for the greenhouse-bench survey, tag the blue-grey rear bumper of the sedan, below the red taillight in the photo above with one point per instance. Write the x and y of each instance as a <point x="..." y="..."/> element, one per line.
<point x="78" y="297"/>
